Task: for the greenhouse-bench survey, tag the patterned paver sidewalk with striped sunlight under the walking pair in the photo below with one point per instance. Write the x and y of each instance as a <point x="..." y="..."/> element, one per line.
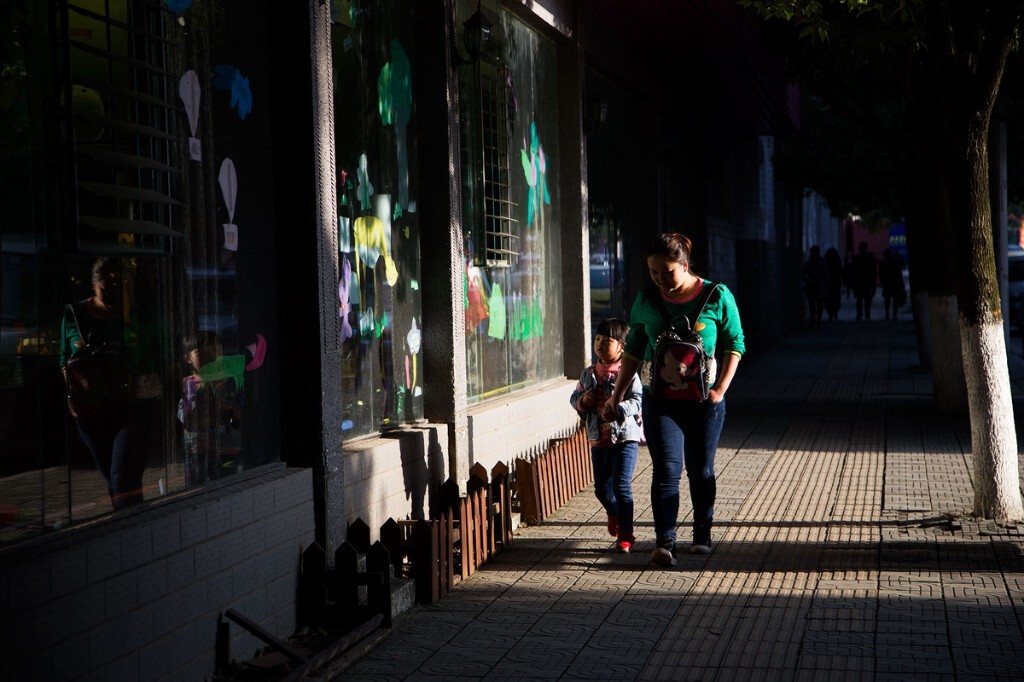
<point x="843" y="551"/>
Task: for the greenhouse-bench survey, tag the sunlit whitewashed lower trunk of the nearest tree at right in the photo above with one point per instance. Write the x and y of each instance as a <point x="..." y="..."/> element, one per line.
<point x="994" y="439"/>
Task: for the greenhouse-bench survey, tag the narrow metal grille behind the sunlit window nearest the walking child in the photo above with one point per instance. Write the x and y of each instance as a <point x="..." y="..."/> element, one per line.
<point x="499" y="231"/>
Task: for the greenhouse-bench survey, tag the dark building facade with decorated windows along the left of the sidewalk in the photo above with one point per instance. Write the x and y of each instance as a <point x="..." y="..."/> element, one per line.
<point x="338" y="260"/>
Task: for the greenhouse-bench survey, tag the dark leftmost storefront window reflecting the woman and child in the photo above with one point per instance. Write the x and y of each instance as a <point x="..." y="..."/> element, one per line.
<point x="130" y="369"/>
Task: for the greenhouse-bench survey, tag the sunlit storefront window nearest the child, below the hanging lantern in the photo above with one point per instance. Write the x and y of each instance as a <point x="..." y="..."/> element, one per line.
<point x="514" y="260"/>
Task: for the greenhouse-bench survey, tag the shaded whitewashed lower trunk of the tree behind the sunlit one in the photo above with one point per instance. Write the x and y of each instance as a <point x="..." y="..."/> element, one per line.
<point x="948" y="356"/>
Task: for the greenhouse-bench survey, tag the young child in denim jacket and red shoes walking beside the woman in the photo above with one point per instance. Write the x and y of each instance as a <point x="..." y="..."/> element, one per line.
<point x="614" y="445"/>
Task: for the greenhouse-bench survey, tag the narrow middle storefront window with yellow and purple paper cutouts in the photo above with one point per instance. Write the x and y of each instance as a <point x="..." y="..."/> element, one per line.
<point x="374" y="46"/>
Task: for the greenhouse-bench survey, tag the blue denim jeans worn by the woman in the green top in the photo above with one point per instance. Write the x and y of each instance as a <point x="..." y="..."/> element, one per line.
<point x="682" y="433"/>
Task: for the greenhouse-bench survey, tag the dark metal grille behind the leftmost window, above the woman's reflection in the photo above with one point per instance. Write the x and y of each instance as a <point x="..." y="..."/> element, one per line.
<point x="121" y="96"/>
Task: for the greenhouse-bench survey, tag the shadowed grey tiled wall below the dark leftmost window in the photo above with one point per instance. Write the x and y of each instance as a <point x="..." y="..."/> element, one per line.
<point x="139" y="598"/>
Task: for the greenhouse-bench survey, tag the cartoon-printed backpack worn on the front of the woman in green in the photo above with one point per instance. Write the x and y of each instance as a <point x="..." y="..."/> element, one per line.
<point x="680" y="368"/>
